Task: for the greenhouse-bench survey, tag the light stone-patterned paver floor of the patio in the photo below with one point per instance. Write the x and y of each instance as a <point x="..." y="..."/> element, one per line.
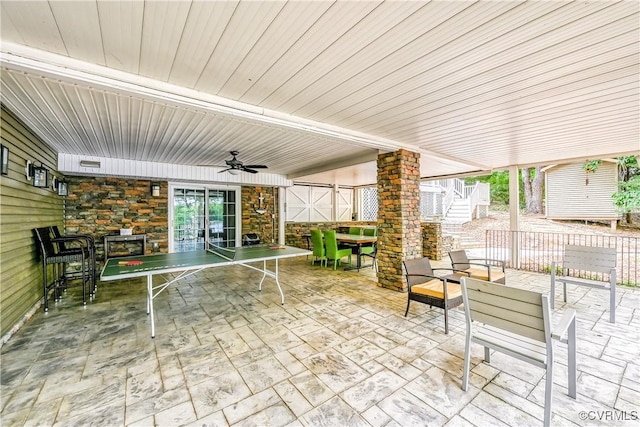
<point x="339" y="352"/>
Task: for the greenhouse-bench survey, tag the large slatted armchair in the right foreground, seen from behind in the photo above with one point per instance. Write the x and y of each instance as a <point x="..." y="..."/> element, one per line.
<point x="517" y="322"/>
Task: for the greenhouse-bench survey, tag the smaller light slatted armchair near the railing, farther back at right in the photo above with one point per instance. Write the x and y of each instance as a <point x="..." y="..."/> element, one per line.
<point x="587" y="259"/>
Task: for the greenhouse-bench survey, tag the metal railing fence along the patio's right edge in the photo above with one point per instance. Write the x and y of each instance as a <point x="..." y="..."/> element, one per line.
<point x="536" y="251"/>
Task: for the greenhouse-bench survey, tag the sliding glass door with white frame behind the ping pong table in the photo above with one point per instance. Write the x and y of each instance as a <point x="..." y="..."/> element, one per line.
<point x="199" y="215"/>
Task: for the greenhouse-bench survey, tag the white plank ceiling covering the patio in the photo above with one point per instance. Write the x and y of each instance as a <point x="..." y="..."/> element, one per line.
<point x="316" y="89"/>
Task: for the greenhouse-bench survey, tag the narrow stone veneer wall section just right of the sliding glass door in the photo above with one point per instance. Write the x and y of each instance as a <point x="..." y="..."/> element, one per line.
<point x="263" y="224"/>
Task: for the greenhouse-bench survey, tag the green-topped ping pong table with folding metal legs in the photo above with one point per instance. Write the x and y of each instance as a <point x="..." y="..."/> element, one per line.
<point x="189" y="263"/>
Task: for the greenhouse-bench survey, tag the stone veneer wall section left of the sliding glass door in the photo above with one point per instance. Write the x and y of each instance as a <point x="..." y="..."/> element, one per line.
<point x="103" y="205"/>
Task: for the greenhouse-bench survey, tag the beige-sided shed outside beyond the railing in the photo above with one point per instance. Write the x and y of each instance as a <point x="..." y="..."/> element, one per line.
<point x="572" y="193"/>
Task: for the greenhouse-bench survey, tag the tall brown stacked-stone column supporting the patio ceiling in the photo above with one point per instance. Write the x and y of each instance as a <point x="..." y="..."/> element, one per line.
<point x="399" y="230"/>
